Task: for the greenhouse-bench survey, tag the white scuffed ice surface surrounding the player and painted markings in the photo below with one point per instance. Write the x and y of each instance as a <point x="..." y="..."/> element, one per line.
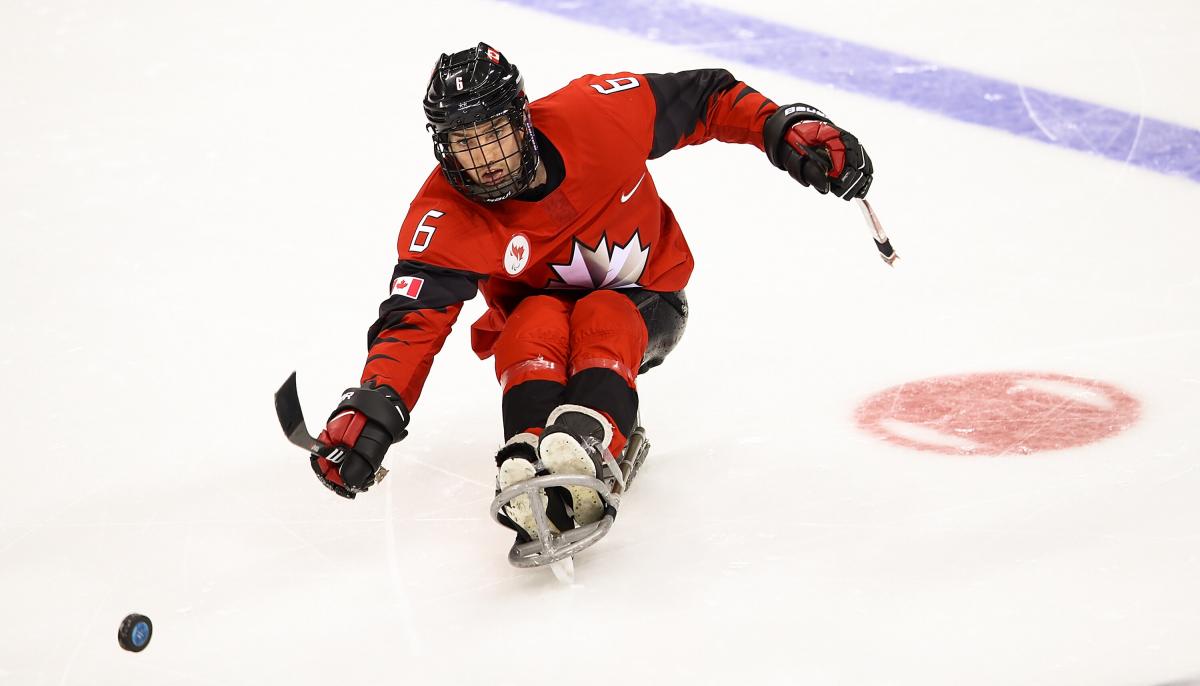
<point x="199" y="198"/>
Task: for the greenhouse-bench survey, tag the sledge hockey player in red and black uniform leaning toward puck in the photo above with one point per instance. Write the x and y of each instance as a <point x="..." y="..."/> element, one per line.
<point x="549" y="210"/>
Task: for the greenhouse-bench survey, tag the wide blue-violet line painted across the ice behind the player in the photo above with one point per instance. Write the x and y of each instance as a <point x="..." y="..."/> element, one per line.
<point x="1031" y="113"/>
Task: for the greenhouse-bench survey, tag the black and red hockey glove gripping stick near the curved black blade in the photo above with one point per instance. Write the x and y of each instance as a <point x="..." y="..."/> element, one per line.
<point x="365" y="425"/>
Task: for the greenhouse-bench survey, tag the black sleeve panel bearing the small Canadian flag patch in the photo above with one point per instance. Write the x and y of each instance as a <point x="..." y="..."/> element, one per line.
<point x="440" y="288"/>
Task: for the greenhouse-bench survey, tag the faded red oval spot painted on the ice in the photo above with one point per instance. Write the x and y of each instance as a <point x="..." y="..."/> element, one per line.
<point x="999" y="413"/>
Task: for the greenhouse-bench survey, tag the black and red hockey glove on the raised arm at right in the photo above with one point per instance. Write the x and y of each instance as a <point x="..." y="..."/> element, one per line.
<point x="803" y="142"/>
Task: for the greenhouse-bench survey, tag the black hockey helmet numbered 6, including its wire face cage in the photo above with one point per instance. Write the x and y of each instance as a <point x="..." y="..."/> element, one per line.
<point x="479" y="117"/>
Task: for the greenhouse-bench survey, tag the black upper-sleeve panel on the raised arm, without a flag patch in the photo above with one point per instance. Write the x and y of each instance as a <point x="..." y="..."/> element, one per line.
<point x="681" y="103"/>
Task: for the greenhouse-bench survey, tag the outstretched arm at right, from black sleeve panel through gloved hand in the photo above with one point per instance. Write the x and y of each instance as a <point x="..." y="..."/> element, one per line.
<point x="698" y="106"/>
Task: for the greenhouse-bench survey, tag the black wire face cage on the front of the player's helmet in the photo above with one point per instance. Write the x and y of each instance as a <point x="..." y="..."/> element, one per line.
<point x="490" y="159"/>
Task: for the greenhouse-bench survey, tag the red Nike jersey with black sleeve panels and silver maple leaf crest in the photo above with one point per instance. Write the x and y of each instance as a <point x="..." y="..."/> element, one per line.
<point x="604" y="226"/>
